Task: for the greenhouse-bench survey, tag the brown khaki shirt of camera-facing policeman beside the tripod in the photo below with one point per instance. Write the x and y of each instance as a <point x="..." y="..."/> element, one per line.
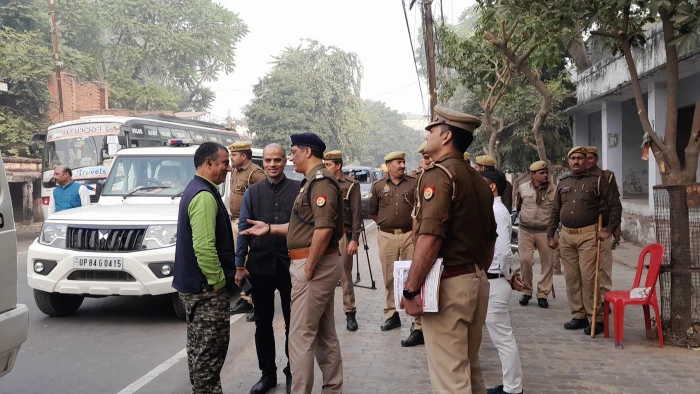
<point x="393" y="204"/>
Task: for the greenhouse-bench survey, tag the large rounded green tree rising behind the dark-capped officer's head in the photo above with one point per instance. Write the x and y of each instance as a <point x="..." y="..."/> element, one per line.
<point x="312" y="88"/>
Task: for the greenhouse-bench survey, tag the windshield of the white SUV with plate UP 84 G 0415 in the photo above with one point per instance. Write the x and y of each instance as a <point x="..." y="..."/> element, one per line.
<point x="129" y="173"/>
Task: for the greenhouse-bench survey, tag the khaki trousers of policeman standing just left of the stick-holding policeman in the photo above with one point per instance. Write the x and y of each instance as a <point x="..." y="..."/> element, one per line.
<point x="527" y="243"/>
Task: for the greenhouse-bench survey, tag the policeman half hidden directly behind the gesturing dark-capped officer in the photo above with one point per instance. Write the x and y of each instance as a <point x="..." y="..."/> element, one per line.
<point x="352" y="226"/>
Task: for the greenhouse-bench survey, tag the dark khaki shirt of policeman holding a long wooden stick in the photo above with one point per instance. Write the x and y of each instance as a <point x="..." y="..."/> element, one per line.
<point x="579" y="201"/>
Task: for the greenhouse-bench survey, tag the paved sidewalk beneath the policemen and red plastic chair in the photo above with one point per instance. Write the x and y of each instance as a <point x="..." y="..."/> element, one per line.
<point x="554" y="360"/>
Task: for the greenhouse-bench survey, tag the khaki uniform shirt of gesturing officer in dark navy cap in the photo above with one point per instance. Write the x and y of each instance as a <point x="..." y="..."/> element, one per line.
<point x="324" y="211"/>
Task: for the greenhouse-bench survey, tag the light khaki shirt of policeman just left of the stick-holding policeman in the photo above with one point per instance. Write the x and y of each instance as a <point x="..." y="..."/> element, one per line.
<point x="535" y="206"/>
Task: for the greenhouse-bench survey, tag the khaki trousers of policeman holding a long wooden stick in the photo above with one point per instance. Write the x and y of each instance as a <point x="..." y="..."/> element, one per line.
<point x="578" y="253"/>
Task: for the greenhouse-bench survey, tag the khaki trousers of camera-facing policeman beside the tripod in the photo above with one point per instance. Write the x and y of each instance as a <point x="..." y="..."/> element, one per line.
<point x="394" y="247"/>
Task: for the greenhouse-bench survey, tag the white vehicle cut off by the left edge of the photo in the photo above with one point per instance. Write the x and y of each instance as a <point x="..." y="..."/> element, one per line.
<point x="14" y="318"/>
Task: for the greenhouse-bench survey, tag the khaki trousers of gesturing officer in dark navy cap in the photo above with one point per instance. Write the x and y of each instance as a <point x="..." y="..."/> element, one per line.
<point x="312" y="327"/>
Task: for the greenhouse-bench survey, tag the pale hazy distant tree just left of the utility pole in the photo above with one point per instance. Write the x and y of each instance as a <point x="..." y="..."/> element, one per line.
<point x="387" y="133"/>
